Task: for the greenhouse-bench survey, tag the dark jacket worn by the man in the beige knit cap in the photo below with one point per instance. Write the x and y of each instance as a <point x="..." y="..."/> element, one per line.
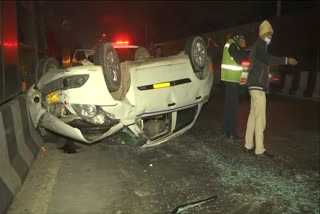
<point x="258" y="78"/>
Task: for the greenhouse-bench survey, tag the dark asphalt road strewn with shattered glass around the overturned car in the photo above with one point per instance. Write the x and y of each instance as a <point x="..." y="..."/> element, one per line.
<point x="114" y="176"/>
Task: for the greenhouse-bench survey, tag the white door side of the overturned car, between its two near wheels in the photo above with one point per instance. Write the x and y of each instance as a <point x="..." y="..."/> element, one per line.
<point x="166" y="70"/>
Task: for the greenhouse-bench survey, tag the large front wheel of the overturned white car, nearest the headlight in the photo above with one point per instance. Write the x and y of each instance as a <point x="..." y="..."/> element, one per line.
<point x="107" y="57"/>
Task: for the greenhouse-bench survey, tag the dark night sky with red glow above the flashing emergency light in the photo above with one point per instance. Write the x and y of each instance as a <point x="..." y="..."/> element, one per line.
<point x="145" y="21"/>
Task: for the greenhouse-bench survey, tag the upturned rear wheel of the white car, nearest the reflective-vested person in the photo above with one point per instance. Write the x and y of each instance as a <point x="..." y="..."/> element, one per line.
<point x="197" y="51"/>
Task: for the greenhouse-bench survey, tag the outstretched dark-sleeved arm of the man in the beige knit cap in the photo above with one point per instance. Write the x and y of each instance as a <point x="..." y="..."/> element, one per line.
<point x="268" y="59"/>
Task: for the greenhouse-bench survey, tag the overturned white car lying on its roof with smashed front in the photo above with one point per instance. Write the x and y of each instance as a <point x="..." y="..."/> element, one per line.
<point x="155" y="98"/>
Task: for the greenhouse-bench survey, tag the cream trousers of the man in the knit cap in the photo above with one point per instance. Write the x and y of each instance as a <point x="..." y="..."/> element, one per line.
<point x="256" y="121"/>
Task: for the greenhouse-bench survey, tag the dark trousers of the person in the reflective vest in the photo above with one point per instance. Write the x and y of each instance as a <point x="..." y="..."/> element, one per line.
<point x="231" y="108"/>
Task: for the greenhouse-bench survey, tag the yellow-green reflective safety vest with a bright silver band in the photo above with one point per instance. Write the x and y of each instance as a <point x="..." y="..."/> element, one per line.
<point x="230" y="69"/>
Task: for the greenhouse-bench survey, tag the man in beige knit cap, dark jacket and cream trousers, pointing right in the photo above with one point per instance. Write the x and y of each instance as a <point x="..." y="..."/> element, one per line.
<point x="258" y="85"/>
